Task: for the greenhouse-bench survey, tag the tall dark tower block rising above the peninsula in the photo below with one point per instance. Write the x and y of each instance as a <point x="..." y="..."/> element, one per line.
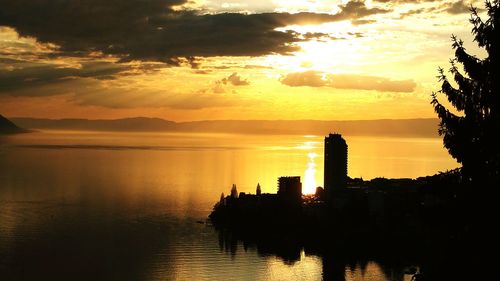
<point x="335" y="164"/>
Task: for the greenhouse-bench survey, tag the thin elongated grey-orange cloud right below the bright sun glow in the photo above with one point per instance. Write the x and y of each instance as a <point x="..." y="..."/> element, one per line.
<point x="347" y="81"/>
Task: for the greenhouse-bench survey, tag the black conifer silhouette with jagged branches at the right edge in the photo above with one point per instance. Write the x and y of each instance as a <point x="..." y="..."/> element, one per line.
<point x="471" y="135"/>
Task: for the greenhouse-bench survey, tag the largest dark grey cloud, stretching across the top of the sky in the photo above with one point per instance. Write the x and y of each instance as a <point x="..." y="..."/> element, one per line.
<point x="150" y="30"/>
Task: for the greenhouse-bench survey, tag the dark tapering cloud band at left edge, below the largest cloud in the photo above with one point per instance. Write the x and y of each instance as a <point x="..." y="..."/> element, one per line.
<point x="15" y="74"/>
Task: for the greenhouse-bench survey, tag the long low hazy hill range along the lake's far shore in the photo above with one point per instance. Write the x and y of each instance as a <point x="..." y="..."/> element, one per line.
<point x="385" y="127"/>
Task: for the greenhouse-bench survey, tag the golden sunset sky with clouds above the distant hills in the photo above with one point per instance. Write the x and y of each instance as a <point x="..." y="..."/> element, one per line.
<point x="186" y="60"/>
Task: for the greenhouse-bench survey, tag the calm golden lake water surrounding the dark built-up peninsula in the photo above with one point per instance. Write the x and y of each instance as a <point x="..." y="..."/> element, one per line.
<point x="96" y="206"/>
